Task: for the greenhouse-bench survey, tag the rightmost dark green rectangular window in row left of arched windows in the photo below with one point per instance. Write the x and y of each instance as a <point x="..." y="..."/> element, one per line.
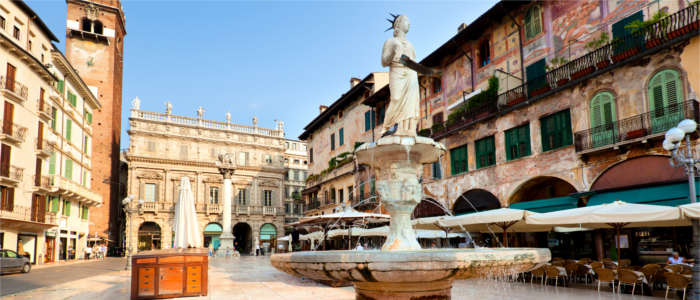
<point x="556" y="130"/>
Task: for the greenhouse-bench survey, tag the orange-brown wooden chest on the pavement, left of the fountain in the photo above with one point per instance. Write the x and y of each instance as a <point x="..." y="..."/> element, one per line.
<point x="169" y="273"/>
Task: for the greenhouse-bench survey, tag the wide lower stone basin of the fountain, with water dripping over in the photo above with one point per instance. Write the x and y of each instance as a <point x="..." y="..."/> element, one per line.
<point x="419" y="266"/>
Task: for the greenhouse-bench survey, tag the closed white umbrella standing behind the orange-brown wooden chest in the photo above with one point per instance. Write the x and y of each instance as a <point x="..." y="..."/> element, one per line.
<point x="185" y="224"/>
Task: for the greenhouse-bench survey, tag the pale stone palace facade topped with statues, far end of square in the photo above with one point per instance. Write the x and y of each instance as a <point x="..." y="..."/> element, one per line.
<point x="164" y="148"/>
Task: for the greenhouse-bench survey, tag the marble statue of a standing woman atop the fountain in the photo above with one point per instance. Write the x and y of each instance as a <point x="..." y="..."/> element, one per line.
<point x="402" y="116"/>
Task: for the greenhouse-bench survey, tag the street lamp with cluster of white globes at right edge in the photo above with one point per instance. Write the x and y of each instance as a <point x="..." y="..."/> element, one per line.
<point x="685" y="158"/>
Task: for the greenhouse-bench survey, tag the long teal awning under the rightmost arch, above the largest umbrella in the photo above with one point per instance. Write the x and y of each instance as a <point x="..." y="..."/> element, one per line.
<point x="669" y="195"/>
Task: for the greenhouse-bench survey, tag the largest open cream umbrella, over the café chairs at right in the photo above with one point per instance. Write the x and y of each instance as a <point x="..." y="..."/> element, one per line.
<point x="617" y="215"/>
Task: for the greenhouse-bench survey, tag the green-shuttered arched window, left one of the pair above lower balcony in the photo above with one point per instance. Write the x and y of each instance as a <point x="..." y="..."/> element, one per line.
<point x="602" y="119"/>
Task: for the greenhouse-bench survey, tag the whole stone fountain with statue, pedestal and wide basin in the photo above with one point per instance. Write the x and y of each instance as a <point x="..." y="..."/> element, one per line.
<point x="401" y="269"/>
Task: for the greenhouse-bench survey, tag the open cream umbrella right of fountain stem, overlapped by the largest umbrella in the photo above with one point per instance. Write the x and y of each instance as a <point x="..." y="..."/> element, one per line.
<point x="487" y="221"/>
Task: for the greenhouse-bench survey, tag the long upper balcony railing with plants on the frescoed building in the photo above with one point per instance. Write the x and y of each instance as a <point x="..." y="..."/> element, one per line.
<point x="660" y="35"/>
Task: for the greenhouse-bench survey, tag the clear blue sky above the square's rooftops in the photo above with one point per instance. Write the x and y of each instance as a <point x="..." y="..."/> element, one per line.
<point x="276" y="60"/>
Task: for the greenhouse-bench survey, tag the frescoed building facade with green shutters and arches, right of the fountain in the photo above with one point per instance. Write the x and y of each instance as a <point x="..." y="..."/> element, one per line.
<point x="583" y="92"/>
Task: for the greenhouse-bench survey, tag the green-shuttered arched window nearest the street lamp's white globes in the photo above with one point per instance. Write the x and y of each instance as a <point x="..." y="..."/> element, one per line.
<point x="665" y="97"/>
